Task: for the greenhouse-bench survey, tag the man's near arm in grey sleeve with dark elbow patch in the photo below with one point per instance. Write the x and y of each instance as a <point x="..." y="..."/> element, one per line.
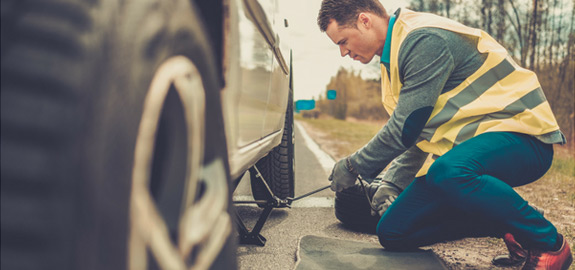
<point x="425" y="64"/>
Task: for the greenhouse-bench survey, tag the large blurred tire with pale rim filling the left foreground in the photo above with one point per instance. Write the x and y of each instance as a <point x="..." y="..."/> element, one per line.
<point x="110" y="115"/>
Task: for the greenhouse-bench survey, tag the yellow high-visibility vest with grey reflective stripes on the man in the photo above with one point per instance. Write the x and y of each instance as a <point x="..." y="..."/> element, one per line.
<point x="499" y="96"/>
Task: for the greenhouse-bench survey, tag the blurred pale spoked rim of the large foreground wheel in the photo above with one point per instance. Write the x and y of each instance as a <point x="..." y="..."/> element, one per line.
<point x="176" y="214"/>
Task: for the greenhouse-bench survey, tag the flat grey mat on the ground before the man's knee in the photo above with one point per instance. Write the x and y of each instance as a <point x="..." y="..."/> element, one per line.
<point x="316" y="252"/>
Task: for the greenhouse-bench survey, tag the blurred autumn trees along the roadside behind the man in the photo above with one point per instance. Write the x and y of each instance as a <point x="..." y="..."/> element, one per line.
<point x="539" y="35"/>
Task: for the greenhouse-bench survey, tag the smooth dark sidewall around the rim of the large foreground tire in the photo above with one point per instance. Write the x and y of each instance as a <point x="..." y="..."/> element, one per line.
<point x="135" y="42"/>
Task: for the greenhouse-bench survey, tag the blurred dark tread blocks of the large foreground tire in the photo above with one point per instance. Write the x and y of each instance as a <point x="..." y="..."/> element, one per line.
<point x="41" y="53"/>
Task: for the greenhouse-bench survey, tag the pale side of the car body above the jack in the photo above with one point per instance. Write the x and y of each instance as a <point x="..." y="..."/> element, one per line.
<point x="257" y="69"/>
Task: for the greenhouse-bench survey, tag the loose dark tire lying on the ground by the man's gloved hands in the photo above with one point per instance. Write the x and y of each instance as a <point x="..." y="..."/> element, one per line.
<point x="353" y="209"/>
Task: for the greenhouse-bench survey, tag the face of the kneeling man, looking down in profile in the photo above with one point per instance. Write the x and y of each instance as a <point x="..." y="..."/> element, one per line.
<point x="359" y="43"/>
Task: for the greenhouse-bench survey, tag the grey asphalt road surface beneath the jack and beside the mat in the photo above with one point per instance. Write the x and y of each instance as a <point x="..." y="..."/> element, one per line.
<point x="309" y="216"/>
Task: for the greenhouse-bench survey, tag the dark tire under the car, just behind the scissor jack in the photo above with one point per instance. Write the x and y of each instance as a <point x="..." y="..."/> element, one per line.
<point x="277" y="167"/>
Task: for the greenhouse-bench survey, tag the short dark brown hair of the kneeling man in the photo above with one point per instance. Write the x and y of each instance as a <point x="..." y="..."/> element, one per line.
<point x="345" y="12"/>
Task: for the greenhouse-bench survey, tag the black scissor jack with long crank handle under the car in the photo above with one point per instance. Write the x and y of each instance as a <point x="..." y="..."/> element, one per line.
<point x="254" y="237"/>
